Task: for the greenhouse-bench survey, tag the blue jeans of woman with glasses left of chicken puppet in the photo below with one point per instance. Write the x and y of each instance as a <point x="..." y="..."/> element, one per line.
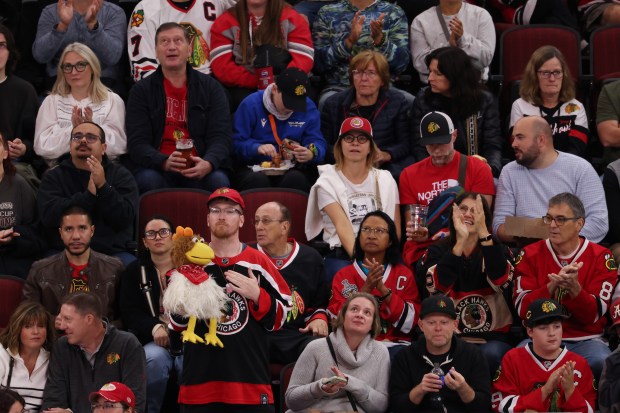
<point x="159" y="363"/>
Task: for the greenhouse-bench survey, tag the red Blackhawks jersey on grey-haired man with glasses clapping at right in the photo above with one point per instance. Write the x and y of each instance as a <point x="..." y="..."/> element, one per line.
<point x="597" y="278"/>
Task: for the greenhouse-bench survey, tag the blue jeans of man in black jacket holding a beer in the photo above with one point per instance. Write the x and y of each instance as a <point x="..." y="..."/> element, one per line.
<point x="149" y="179"/>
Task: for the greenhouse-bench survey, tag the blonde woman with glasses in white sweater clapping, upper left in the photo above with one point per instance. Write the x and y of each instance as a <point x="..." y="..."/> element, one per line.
<point x="78" y="96"/>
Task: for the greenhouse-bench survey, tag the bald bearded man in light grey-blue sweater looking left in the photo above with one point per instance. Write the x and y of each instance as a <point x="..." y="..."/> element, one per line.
<point x="540" y="172"/>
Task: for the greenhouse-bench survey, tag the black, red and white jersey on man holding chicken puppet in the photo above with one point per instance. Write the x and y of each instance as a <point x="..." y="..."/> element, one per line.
<point x="238" y="373"/>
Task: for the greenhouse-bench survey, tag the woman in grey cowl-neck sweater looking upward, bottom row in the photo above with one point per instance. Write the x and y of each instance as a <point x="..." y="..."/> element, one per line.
<point x="354" y="375"/>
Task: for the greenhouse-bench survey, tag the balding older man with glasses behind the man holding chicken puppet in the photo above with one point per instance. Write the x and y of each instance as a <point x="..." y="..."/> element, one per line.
<point x="302" y="269"/>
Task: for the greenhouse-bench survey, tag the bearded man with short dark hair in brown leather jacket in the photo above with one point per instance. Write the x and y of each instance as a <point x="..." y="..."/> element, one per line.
<point x="77" y="268"/>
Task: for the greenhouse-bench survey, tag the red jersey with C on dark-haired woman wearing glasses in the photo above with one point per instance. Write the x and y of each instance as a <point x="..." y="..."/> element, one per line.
<point x="399" y="316"/>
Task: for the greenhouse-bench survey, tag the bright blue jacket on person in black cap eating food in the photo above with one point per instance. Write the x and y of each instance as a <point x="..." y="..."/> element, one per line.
<point x="252" y="129"/>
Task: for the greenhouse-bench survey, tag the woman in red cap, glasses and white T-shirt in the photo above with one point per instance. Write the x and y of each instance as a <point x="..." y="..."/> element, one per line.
<point x="347" y="191"/>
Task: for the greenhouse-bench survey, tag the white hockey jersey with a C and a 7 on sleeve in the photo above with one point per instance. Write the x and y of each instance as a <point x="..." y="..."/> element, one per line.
<point x="148" y="15"/>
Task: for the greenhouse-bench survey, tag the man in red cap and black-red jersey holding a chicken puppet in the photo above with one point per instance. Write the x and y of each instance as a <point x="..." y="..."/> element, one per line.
<point x="234" y="378"/>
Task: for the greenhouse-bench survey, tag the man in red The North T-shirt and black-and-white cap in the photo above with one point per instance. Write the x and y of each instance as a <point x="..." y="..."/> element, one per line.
<point x="421" y="182"/>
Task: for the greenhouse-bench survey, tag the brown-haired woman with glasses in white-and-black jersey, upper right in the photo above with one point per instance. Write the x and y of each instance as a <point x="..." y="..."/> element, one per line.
<point x="548" y="90"/>
